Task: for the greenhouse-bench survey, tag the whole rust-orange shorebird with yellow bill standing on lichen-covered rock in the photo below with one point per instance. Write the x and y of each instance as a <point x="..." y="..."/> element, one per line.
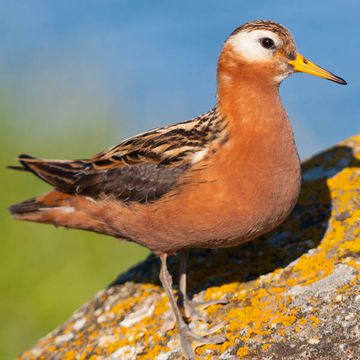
<point x="218" y="180"/>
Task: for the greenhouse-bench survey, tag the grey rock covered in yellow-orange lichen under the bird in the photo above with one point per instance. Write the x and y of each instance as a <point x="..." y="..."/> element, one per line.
<point x="293" y="294"/>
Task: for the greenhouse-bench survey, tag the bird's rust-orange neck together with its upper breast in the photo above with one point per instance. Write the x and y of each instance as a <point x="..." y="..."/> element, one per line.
<point x="258" y="126"/>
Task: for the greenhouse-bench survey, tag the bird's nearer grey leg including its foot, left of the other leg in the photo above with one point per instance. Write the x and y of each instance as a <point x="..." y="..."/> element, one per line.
<point x="187" y="337"/>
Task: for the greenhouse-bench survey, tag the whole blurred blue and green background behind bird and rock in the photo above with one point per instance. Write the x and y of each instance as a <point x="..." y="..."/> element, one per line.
<point x="79" y="76"/>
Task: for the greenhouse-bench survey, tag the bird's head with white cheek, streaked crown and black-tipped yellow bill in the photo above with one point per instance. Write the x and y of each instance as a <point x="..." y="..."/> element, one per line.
<point x="267" y="49"/>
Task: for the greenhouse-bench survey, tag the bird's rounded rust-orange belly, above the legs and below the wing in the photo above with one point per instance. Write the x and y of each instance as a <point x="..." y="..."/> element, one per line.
<point x="226" y="210"/>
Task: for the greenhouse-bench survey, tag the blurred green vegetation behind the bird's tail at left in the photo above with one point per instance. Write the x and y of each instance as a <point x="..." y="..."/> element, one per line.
<point x="47" y="273"/>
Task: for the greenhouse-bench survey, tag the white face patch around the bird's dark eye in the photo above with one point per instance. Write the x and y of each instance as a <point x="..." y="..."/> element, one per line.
<point x="248" y="44"/>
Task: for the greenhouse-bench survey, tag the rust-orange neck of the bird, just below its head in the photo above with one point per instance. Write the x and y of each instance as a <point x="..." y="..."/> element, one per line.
<point x="247" y="96"/>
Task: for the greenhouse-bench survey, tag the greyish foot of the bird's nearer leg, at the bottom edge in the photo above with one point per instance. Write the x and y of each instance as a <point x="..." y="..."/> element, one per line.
<point x="190" y="341"/>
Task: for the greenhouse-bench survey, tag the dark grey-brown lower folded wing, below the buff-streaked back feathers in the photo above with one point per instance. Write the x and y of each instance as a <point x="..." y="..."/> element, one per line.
<point x="144" y="182"/>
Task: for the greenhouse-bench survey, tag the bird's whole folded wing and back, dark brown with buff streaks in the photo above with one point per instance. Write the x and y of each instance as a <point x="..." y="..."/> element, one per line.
<point x="142" y="168"/>
